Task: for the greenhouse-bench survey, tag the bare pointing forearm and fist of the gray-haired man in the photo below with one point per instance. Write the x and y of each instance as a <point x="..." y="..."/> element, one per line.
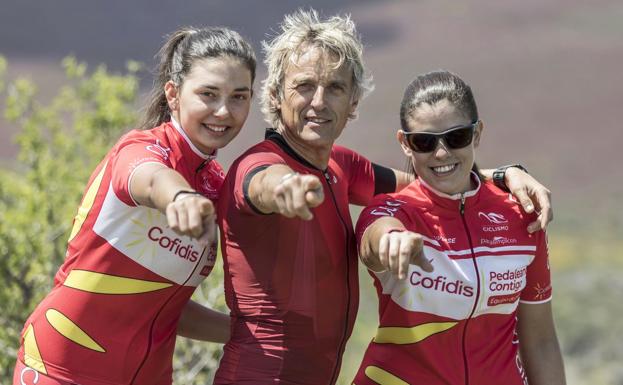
<point x="278" y="189"/>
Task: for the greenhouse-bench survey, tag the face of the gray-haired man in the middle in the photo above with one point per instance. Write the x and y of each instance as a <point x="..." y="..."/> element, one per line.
<point x="317" y="99"/>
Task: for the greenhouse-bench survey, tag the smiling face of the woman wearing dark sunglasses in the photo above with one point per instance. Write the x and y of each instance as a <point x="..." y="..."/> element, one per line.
<point x="445" y="169"/>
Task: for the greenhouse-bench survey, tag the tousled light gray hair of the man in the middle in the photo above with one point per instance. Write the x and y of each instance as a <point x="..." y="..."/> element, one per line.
<point x="300" y="31"/>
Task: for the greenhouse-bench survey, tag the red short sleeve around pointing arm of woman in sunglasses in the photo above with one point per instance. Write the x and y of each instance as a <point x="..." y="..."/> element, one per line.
<point x="383" y="205"/>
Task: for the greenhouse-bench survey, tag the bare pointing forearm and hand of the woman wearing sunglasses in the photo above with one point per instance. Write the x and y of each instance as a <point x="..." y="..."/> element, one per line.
<point x="387" y="245"/>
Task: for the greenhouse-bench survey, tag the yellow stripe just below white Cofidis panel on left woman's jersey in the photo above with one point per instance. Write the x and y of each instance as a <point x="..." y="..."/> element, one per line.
<point x="110" y="284"/>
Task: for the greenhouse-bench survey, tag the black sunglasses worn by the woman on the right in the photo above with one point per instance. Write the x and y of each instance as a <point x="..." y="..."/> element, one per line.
<point x="454" y="138"/>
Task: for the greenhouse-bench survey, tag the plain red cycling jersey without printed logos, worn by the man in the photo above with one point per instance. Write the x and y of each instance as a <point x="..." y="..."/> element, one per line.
<point x="291" y="285"/>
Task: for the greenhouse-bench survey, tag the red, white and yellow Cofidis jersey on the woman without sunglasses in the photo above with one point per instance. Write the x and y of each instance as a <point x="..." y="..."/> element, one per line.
<point x="112" y="315"/>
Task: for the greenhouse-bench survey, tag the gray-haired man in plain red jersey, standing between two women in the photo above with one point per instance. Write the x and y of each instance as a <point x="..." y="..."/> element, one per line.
<point x="287" y="236"/>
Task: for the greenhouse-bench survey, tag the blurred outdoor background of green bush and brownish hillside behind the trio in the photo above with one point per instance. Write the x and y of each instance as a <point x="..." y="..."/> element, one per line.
<point x="547" y="79"/>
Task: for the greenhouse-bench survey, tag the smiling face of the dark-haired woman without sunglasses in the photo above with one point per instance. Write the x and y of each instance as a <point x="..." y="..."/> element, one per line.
<point x="213" y="102"/>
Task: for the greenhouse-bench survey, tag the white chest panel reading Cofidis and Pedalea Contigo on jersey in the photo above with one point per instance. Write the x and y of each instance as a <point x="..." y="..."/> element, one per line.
<point x="452" y="288"/>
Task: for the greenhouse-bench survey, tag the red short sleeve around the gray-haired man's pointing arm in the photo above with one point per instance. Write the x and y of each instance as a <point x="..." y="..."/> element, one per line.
<point x="244" y="170"/>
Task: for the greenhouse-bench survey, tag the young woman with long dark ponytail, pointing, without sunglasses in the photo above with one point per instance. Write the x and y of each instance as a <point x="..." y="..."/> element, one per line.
<point x="144" y="236"/>
